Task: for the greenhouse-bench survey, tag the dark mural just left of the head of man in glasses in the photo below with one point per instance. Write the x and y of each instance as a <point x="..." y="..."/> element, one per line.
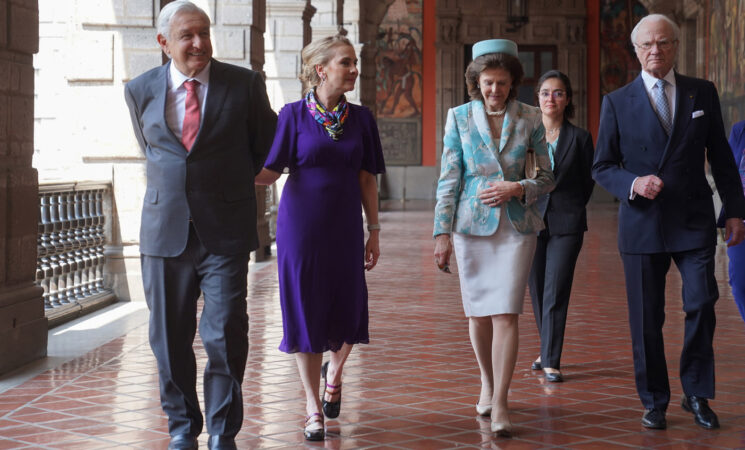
<point x="618" y="63"/>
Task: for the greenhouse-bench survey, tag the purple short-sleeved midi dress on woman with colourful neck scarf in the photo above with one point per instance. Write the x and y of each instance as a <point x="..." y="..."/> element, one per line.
<point x="320" y="239"/>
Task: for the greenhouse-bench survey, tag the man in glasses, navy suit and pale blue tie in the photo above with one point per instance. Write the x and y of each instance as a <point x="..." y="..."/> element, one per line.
<point x="655" y="135"/>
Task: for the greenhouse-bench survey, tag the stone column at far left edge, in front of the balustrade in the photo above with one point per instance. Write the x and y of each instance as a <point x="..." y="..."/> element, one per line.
<point x="23" y="326"/>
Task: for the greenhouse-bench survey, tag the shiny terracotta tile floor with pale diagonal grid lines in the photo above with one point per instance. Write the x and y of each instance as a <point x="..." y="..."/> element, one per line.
<point x="415" y="385"/>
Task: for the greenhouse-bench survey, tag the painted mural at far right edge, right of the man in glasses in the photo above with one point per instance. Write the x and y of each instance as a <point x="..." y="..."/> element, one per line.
<point x="726" y="55"/>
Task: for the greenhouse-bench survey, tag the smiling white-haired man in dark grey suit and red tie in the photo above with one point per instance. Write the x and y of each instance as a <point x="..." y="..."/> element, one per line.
<point x="205" y="128"/>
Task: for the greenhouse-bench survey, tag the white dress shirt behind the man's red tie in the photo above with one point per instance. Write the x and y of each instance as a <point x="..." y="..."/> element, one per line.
<point x="176" y="97"/>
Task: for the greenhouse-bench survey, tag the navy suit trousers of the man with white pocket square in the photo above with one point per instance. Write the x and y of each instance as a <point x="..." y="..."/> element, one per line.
<point x="645" y="285"/>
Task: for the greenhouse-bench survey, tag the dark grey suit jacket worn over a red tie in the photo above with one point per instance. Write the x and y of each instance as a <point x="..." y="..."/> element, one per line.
<point x="213" y="184"/>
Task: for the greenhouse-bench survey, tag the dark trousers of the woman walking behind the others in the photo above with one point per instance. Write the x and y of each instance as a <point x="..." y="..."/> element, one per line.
<point x="550" y="287"/>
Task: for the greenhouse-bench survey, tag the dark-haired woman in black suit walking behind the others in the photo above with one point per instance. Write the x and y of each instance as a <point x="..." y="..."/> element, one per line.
<point x="564" y="215"/>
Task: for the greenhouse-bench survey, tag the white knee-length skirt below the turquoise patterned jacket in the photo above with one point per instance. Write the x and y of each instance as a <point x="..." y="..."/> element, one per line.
<point x="494" y="270"/>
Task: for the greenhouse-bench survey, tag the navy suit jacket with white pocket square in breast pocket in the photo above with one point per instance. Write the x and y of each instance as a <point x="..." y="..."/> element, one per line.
<point x="632" y="143"/>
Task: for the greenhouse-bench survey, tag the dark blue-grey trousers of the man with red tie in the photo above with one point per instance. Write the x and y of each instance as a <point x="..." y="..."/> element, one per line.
<point x="172" y="287"/>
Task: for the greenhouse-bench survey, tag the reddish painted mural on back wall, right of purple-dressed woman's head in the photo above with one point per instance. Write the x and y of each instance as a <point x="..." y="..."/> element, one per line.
<point x="399" y="61"/>
